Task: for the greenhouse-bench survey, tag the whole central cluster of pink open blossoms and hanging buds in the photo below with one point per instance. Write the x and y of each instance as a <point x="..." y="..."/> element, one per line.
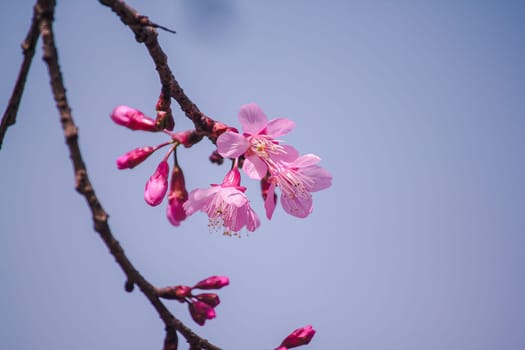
<point x="257" y="151"/>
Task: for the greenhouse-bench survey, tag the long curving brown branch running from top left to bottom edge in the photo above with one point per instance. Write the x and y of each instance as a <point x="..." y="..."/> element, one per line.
<point x="84" y="187"/>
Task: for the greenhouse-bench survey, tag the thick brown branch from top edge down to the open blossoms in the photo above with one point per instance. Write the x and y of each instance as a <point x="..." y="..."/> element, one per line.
<point x="145" y="32"/>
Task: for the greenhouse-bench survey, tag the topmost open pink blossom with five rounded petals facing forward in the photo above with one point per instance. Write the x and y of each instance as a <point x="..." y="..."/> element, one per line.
<point x="258" y="143"/>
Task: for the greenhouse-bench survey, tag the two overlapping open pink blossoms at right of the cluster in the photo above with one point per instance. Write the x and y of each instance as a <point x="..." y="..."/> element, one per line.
<point x="276" y="165"/>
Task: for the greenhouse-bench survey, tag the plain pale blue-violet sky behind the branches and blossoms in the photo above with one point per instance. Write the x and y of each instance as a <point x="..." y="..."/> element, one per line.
<point x="415" y="107"/>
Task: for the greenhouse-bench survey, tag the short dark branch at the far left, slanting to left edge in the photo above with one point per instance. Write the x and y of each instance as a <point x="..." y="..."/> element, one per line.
<point x="28" y="49"/>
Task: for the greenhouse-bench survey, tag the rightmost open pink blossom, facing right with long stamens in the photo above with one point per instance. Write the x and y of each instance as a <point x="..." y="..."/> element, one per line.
<point x="296" y="176"/>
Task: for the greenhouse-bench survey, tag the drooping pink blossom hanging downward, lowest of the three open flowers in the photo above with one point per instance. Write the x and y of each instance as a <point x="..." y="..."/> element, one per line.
<point x="226" y="205"/>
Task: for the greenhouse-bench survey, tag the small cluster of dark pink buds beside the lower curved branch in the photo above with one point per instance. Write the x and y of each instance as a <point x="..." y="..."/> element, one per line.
<point x="202" y="305"/>
